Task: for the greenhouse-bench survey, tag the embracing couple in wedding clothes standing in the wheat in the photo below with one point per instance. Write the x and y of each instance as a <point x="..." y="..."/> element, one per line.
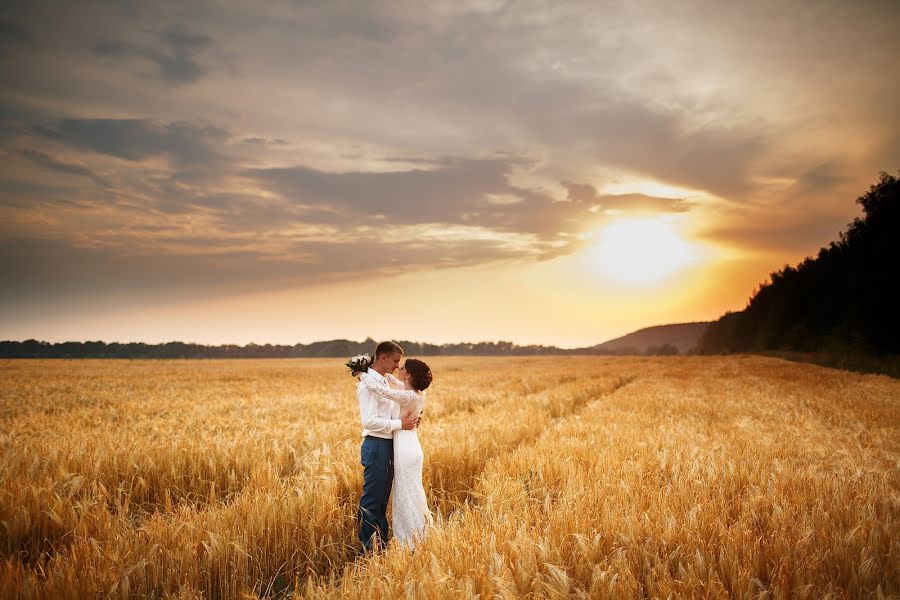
<point x="390" y="408"/>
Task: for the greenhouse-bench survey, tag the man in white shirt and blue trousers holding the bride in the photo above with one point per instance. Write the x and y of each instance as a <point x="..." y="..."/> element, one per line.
<point x="380" y="419"/>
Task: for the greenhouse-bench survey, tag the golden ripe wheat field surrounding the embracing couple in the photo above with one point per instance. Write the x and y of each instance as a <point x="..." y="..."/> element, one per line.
<point x="598" y="477"/>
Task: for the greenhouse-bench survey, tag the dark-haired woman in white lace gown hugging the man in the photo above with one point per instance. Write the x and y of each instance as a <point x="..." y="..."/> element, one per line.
<point x="410" y="508"/>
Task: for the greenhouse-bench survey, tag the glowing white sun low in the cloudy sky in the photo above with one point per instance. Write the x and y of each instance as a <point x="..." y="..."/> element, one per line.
<point x="641" y="251"/>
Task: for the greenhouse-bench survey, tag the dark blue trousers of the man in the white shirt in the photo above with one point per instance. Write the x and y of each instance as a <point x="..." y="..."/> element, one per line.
<point x="377" y="456"/>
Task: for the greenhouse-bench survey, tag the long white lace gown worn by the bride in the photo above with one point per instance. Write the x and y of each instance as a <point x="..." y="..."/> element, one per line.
<point x="409" y="512"/>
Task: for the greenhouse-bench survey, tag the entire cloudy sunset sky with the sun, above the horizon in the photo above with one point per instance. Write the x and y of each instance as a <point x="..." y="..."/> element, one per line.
<point x="556" y="173"/>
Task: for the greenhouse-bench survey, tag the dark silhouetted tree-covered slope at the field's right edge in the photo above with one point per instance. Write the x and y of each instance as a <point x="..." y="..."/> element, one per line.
<point x="845" y="301"/>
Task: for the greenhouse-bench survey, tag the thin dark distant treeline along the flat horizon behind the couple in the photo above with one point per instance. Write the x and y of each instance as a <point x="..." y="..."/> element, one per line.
<point x="331" y="349"/>
